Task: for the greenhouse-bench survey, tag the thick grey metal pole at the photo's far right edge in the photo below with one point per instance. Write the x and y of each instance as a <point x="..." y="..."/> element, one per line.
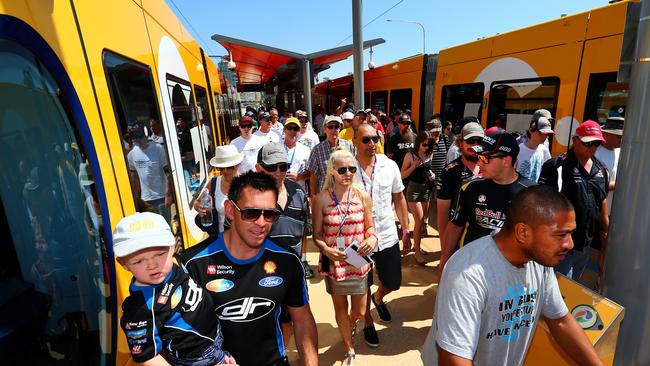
<point x="627" y="267"/>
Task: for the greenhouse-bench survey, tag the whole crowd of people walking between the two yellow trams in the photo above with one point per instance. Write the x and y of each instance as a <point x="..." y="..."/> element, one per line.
<point x="506" y="213"/>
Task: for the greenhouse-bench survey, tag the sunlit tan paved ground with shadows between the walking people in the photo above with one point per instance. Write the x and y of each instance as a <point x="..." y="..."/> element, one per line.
<point x="411" y="307"/>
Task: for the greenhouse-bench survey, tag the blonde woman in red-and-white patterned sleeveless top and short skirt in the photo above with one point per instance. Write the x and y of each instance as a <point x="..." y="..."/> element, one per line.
<point x="342" y="215"/>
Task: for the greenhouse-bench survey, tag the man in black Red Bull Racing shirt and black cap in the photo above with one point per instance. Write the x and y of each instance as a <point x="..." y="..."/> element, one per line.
<point x="483" y="201"/>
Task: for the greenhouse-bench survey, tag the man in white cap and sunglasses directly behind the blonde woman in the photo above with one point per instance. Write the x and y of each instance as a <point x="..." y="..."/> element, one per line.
<point x="320" y="154"/>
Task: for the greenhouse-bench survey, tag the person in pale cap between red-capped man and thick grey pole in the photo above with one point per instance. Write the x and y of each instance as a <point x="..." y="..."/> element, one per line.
<point x="609" y="152"/>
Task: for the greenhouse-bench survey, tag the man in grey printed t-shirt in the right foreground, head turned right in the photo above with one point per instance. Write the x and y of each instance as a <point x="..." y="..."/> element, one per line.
<point x="493" y="292"/>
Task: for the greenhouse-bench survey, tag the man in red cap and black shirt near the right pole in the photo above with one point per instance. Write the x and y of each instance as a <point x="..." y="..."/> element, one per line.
<point x="583" y="179"/>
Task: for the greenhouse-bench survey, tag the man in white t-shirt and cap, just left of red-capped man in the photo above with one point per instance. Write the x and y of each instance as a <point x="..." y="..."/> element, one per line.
<point x="533" y="153"/>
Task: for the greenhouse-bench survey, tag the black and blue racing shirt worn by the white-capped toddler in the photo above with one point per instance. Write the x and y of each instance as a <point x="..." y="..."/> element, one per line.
<point x="175" y="316"/>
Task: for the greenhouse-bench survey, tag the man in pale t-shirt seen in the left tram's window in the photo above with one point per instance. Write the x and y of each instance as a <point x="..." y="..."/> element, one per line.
<point x="149" y="161"/>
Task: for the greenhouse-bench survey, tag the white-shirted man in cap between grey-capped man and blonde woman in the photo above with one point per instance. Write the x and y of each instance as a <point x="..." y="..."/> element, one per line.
<point x="297" y="153"/>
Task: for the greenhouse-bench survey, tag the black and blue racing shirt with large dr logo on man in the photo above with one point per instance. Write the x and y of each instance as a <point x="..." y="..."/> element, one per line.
<point x="248" y="295"/>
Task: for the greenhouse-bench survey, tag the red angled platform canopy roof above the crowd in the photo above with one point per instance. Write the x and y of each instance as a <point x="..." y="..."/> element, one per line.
<point x="258" y="63"/>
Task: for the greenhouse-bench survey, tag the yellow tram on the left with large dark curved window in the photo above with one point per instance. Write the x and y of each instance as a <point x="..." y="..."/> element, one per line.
<point x="75" y="78"/>
